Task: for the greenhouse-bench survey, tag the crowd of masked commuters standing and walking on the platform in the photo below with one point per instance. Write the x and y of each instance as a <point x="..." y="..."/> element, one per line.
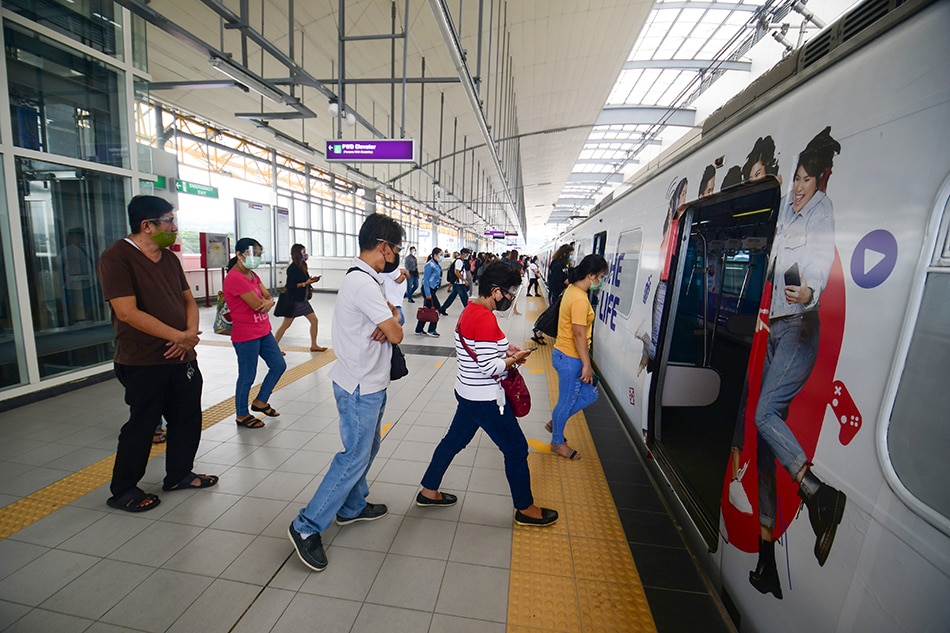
<point x="155" y="317"/>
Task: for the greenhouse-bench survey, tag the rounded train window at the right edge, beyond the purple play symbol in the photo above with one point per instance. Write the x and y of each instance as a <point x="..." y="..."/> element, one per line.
<point x="918" y="437"/>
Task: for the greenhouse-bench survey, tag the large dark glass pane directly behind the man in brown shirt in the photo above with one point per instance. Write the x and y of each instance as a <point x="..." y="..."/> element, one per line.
<point x="69" y="216"/>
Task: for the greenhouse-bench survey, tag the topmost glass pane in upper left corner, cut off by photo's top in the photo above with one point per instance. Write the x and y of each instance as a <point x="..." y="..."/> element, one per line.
<point x="94" y="23"/>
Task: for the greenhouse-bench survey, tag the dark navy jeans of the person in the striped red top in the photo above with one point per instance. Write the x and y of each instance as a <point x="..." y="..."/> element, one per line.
<point x="503" y="430"/>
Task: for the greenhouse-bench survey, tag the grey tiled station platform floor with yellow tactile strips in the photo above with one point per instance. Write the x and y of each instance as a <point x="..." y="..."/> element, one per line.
<point x="220" y="560"/>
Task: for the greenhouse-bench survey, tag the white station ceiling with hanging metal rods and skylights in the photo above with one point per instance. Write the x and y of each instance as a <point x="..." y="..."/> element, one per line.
<point x="564" y="99"/>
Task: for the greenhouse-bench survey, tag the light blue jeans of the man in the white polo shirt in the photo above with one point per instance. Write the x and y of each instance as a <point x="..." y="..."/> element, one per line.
<point x="343" y="490"/>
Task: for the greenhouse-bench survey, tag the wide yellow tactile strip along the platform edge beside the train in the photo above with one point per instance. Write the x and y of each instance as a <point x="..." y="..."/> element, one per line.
<point x="577" y="575"/>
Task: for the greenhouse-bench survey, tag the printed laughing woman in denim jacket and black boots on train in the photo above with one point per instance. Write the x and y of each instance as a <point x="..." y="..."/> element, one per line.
<point x="802" y="256"/>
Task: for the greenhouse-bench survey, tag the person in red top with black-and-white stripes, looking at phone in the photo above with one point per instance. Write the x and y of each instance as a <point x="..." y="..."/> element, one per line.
<point x="484" y="355"/>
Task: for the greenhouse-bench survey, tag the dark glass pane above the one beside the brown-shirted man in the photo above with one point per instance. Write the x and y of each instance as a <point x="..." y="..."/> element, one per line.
<point x="62" y="102"/>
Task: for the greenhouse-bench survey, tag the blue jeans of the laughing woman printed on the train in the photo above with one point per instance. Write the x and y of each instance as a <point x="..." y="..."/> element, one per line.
<point x="791" y="353"/>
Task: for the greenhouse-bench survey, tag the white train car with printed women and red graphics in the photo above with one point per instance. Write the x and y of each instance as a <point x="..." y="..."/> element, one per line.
<point x="851" y="133"/>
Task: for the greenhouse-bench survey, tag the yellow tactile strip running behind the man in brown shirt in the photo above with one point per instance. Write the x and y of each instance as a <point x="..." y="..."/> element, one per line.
<point x="45" y="501"/>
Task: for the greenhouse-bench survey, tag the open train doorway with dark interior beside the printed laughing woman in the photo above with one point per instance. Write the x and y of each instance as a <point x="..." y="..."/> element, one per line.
<point x="711" y="301"/>
